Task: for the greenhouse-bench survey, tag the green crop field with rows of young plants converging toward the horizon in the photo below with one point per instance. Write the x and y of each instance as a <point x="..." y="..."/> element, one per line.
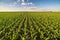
<point x="29" y="25"/>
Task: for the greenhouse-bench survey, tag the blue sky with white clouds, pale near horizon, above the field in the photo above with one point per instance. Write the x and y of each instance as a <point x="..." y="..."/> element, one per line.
<point x="38" y="5"/>
